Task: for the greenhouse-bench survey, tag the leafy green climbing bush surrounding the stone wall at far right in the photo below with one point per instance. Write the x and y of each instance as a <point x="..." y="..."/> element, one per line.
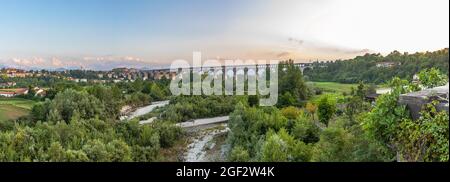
<point x="425" y="139"/>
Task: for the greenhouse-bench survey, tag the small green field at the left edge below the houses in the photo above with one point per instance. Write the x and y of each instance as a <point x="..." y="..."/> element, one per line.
<point x="13" y="108"/>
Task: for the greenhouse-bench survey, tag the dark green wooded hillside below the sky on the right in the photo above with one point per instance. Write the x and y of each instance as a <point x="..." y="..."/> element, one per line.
<point x="364" y="68"/>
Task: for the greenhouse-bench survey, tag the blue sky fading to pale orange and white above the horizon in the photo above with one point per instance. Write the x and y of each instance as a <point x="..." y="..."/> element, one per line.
<point x="100" y="34"/>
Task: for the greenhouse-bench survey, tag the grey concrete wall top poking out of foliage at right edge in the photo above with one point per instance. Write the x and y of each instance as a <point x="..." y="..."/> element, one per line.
<point x="416" y="100"/>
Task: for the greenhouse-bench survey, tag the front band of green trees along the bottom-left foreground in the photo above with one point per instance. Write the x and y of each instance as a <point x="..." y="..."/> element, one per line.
<point x="84" y="140"/>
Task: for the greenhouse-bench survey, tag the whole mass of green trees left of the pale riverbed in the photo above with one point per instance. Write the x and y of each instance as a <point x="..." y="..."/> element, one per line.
<point x="80" y="123"/>
